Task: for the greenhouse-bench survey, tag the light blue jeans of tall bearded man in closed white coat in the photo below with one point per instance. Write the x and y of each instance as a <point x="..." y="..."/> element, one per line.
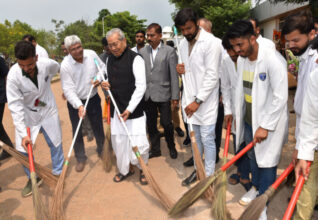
<point x="205" y="137"/>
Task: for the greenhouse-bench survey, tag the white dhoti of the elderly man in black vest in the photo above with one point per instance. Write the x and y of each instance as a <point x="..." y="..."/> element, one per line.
<point x="122" y="146"/>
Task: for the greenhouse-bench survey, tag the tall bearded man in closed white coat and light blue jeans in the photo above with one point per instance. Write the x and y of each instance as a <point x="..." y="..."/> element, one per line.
<point x="200" y="52"/>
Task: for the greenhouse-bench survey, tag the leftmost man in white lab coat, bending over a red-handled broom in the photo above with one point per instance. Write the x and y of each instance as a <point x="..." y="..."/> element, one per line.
<point x="32" y="104"/>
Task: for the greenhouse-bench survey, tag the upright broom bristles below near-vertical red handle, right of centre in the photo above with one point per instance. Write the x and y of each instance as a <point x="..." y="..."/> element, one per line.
<point x="219" y="210"/>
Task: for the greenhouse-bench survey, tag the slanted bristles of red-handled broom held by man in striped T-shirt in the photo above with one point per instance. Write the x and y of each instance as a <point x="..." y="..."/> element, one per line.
<point x="193" y="194"/>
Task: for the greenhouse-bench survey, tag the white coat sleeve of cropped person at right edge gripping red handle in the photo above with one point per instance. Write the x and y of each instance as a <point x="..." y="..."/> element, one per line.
<point x="308" y="134"/>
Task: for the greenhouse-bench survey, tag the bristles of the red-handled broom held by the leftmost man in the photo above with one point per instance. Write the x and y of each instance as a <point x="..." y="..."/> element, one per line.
<point x="40" y="210"/>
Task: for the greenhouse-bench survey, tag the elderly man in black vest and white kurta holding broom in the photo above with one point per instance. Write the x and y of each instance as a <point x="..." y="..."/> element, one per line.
<point x="127" y="82"/>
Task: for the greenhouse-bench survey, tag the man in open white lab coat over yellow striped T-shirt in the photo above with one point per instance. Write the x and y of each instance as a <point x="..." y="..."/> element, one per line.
<point x="260" y="106"/>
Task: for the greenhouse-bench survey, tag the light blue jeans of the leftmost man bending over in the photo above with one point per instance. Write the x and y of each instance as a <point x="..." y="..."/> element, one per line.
<point x="57" y="156"/>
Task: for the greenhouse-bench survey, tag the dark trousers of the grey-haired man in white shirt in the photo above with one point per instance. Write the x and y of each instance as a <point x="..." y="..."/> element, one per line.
<point x="94" y="114"/>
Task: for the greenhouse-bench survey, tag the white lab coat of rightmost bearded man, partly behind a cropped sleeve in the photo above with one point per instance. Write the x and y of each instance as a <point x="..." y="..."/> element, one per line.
<point x="307" y="63"/>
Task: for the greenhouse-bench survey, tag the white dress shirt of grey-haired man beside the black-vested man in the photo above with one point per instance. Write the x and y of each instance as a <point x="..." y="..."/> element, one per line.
<point x="77" y="77"/>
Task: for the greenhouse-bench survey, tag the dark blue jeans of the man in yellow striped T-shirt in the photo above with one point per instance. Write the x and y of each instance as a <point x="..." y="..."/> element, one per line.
<point x="262" y="178"/>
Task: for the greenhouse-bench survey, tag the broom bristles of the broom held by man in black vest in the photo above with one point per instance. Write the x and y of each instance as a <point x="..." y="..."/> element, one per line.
<point x="163" y="198"/>
